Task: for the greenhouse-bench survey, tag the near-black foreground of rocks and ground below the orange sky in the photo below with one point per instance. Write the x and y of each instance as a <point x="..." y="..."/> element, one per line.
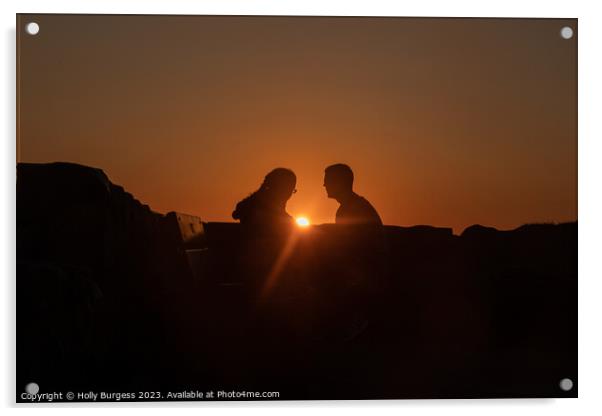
<point x="112" y="297"/>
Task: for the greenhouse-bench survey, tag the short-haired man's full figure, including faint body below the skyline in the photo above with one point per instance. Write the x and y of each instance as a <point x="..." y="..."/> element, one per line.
<point x="356" y="260"/>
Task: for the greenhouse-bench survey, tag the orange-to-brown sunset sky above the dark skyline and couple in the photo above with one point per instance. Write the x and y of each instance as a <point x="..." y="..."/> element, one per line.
<point x="447" y="122"/>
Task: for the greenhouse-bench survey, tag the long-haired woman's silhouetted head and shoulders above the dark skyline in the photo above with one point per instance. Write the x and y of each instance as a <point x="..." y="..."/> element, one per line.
<point x="267" y="205"/>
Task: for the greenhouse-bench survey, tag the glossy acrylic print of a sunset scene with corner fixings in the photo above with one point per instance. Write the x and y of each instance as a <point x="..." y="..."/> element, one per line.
<point x="295" y="207"/>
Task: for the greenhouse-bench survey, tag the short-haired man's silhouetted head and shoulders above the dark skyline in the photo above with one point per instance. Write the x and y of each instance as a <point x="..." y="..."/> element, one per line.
<point x="354" y="209"/>
